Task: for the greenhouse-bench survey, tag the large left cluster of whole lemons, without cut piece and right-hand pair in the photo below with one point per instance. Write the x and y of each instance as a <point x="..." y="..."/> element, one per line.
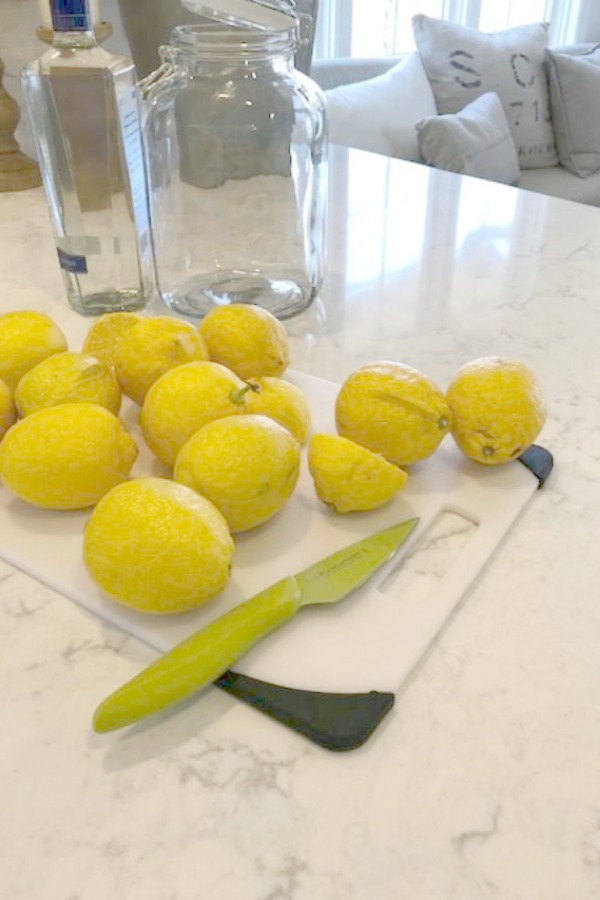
<point x="225" y="430"/>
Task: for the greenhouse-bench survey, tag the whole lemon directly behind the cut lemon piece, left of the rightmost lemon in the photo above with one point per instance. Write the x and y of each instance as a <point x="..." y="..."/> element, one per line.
<point x="394" y="410"/>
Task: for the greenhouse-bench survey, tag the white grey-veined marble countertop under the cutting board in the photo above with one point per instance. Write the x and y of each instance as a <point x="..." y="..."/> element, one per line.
<point x="484" y="781"/>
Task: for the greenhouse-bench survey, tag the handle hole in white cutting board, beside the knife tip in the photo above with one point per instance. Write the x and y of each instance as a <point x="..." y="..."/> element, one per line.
<point x="445" y="539"/>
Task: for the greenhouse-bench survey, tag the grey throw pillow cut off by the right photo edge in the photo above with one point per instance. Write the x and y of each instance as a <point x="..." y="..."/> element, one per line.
<point x="575" y="101"/>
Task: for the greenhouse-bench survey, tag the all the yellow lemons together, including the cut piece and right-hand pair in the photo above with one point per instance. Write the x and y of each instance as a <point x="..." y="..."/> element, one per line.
<point x="227" y="430"/>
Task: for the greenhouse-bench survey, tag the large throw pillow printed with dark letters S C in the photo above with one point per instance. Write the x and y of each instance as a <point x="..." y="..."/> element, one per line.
<point x="463" y="63"/>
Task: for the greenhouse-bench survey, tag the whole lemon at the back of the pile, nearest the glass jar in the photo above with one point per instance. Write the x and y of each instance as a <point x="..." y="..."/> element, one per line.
<point x="247" y="339"/>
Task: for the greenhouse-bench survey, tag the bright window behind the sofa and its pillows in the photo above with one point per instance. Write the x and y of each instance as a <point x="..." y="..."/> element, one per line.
<point x="383" y="27"/>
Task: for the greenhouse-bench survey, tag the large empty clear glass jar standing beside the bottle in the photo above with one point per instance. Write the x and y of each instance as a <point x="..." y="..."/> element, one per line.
<point x="235" y="143"/>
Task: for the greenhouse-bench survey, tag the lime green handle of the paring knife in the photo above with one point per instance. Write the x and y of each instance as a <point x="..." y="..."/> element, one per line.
<point x="201" y="658"/>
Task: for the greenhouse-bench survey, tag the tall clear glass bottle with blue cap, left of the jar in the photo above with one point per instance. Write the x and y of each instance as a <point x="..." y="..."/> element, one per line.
<point x="83" y="105"/>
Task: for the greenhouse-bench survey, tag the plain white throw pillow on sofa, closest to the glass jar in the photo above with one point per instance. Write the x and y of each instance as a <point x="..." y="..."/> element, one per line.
<point x="380" y="114"/>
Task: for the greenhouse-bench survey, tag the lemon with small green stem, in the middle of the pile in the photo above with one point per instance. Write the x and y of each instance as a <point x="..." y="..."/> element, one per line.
<point x="183" y="400"/>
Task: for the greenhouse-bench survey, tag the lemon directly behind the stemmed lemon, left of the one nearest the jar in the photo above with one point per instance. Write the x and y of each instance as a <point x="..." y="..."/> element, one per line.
<point x="152" y="347"/>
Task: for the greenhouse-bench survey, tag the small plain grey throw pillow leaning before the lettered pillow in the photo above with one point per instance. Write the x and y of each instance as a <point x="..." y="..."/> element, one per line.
<point x="475" y="141"/>
